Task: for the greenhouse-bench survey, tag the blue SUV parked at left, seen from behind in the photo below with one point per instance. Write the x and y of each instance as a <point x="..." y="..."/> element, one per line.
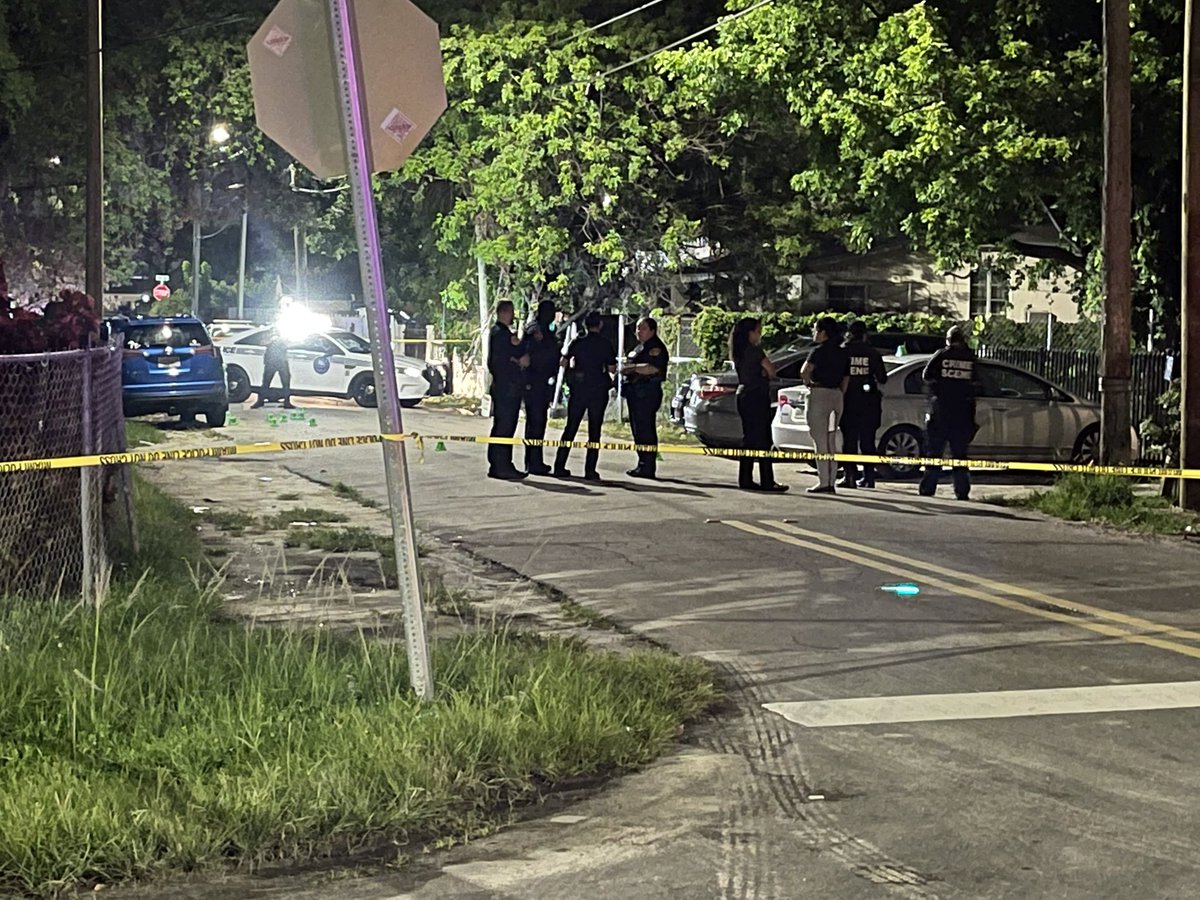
<point x="170" y="365"/>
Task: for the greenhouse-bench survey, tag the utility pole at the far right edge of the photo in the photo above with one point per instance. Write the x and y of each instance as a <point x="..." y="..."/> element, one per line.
<point x="1190" y="403"/>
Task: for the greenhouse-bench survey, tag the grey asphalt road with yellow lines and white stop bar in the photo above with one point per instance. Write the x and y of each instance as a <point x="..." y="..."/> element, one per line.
<point x="1027" y="727"/>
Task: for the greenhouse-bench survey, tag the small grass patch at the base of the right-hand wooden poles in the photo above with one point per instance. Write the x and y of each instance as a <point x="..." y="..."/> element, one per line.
<point x="1109" y="500"/>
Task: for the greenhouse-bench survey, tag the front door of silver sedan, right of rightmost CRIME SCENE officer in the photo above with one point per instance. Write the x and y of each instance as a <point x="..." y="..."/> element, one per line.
<point x="1027" y="419"/>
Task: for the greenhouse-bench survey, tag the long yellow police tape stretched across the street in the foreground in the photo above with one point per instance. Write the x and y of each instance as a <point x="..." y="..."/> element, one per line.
<point x="421" y="441"/>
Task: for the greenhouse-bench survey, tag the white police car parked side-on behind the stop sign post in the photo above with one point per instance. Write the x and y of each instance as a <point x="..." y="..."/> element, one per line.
<point x="331" y="364"/>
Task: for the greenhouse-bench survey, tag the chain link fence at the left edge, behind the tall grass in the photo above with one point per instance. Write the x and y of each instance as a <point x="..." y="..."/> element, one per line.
<point x="52" y="521"/>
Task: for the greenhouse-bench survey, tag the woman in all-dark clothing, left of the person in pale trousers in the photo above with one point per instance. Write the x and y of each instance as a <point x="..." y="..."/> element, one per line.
<point x="755" y="373"/>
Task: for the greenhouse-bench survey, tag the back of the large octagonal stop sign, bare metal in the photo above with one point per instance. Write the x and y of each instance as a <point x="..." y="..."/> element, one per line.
<point x="293" y="80"/>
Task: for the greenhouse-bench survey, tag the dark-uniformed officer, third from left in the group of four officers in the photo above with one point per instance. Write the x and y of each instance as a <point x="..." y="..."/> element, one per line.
<point x="591" y="364"/>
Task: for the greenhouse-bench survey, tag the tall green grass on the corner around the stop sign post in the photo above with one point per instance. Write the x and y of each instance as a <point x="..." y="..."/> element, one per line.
<point x="147" y="736"/>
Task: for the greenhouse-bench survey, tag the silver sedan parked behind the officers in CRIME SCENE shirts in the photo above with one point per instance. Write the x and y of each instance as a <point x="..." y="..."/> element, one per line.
<point x="1021" y="417"/>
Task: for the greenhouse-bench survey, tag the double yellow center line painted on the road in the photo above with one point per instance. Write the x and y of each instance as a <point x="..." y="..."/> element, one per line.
<point x="913" y="573"/>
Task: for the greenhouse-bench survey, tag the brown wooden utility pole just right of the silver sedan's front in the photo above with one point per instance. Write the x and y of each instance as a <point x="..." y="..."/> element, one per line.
<point x="1115" y="424"/>
